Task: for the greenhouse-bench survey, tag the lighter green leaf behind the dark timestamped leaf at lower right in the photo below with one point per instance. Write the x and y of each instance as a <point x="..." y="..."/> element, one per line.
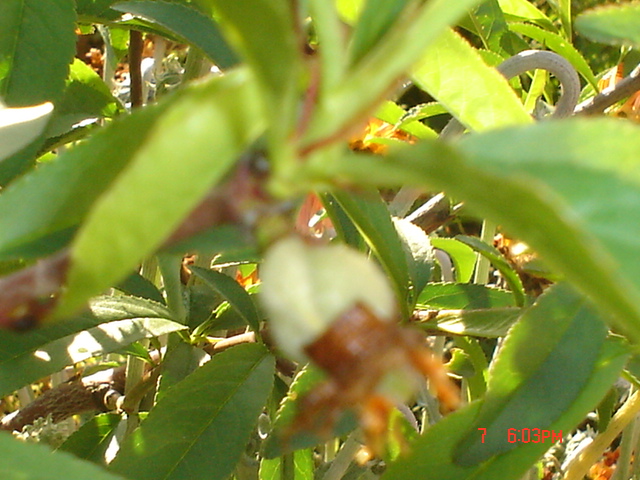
<point x="433" y="452"/>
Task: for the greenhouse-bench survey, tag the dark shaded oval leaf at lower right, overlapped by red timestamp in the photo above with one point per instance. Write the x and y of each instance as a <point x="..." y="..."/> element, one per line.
<point x="561" y="361"/>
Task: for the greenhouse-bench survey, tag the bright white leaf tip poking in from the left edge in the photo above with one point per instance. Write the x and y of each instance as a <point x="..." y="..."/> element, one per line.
<point x="20" y="126"/>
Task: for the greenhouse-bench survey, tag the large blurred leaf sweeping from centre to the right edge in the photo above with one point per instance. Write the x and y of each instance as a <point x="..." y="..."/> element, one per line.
<point x="546" y="181"/>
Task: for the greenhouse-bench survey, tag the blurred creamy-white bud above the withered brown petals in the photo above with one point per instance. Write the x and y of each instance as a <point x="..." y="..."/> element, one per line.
<point x="306" y="287"/>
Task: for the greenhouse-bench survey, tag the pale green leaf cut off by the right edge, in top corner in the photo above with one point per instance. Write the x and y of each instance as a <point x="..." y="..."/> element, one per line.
<point x="615" y="24"/>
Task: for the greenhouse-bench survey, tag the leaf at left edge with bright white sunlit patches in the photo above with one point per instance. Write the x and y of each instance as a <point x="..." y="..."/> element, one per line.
<point x="113" y="322"/>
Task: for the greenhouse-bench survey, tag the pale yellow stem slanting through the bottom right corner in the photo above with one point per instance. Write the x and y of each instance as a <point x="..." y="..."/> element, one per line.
<point x="623" y="417"/>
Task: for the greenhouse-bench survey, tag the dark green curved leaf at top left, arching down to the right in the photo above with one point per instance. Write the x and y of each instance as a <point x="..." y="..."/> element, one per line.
<point x="188" y="23"/>
